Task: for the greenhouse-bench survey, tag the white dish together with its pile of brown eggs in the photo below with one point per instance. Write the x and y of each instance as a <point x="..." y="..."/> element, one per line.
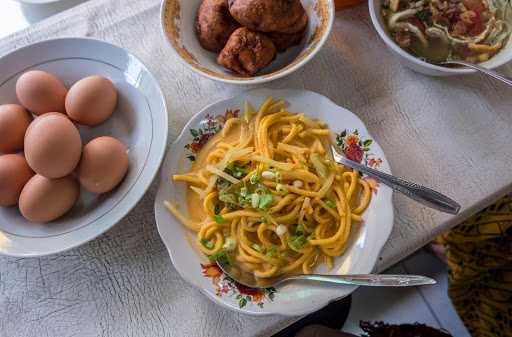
<point x="83" y="129"/>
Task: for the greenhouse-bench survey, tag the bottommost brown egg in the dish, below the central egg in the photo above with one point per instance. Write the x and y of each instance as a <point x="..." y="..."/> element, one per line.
<point x="44" y="200"/>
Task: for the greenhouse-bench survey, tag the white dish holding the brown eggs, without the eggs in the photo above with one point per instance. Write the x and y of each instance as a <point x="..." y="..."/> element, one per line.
<point x="140" y="122"/>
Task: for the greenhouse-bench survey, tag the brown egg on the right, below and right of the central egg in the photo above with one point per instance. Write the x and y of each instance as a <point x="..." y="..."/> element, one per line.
<point x="103" y="165"/>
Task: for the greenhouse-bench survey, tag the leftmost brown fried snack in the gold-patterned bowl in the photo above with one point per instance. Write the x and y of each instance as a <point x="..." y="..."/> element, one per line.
<point x="214" y="24"/>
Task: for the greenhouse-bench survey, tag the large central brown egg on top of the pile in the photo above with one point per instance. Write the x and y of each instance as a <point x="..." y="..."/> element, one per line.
<point x="53" y="145"/>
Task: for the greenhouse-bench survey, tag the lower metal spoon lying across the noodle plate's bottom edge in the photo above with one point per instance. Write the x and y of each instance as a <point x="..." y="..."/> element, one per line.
<point x="373" y="280"/>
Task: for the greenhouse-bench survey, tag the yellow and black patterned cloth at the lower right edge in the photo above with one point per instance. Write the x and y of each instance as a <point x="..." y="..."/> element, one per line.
<point x="479" y="253"/>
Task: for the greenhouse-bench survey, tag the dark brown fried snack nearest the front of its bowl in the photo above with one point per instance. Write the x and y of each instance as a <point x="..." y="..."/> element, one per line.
<point x="246" y="52"/>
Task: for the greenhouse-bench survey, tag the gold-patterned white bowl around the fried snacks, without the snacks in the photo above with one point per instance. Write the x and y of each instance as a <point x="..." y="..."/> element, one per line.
<point x="178" y="22"/>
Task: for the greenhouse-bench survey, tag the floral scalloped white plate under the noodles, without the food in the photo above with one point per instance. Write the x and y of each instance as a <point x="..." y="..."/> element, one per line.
<point x="294" y="299"/>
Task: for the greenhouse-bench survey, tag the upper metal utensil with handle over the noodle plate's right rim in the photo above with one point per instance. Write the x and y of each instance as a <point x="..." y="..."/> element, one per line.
<point x="423" y="195"/>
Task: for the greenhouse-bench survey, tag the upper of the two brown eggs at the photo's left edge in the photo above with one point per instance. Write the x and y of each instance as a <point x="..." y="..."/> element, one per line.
<point x="14" y="121"/>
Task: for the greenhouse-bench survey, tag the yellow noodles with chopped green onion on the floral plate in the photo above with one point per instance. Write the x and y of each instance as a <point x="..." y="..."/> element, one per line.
<point x="299" y="228"/>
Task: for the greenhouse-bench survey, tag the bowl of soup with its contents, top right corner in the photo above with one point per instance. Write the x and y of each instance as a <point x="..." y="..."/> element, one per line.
<point x="425" y="32"/>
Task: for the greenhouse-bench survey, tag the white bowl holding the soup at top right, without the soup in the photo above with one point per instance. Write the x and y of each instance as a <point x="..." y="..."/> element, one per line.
<point x="414" y="63"/>
